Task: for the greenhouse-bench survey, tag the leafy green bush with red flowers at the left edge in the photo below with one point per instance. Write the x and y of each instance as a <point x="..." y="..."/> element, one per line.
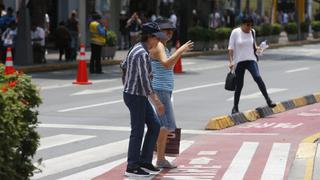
<point x="18" y="122"/>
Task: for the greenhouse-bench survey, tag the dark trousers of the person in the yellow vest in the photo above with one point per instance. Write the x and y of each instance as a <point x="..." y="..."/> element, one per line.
<point x="95" y="60"/>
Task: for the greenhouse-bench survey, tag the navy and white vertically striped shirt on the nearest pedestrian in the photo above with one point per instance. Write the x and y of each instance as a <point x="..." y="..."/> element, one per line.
<point x="138" y="71"/>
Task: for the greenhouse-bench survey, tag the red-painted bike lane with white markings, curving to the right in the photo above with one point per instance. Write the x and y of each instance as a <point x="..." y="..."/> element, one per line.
<point x="263" y="149"/>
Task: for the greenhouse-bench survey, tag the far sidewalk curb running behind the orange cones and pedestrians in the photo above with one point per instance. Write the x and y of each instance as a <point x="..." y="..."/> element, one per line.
<point x="73" y="65"/>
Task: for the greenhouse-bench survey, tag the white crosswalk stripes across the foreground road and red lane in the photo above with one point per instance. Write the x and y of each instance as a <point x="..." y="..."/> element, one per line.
<point x="107" y="156"/>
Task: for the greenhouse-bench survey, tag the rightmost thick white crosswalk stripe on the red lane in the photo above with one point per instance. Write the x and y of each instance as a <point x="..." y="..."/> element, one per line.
<point x="277" y="161"/>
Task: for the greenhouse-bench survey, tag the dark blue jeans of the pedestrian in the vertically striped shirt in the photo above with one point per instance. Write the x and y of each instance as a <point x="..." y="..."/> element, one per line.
<point x="141" y="113"/>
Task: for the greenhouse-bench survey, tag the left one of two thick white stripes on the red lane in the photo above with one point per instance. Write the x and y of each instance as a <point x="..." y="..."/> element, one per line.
<point x="241" y="161"/>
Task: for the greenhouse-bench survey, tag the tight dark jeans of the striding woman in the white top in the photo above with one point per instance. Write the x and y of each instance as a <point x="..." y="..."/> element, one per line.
<point x="252" y="67"/>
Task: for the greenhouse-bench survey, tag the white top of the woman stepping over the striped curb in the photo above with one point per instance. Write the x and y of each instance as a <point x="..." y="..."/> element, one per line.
<point x="242" y="45"/>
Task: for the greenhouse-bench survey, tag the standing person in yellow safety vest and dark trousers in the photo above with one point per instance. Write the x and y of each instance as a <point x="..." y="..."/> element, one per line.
<point x="98" y="40"/>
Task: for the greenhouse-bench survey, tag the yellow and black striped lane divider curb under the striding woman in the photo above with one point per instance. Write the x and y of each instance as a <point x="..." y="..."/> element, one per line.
<point x="222" y="122"/>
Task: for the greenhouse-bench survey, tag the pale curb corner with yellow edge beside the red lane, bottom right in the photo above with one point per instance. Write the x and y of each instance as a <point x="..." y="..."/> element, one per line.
<point x="306" y="164"/>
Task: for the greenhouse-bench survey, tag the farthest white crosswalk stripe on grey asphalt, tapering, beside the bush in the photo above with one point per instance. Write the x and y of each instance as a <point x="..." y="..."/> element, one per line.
<point x="61" y="139"/>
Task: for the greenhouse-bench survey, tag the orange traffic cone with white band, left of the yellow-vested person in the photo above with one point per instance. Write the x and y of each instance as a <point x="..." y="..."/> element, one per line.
<point x="82" y="76"/>
